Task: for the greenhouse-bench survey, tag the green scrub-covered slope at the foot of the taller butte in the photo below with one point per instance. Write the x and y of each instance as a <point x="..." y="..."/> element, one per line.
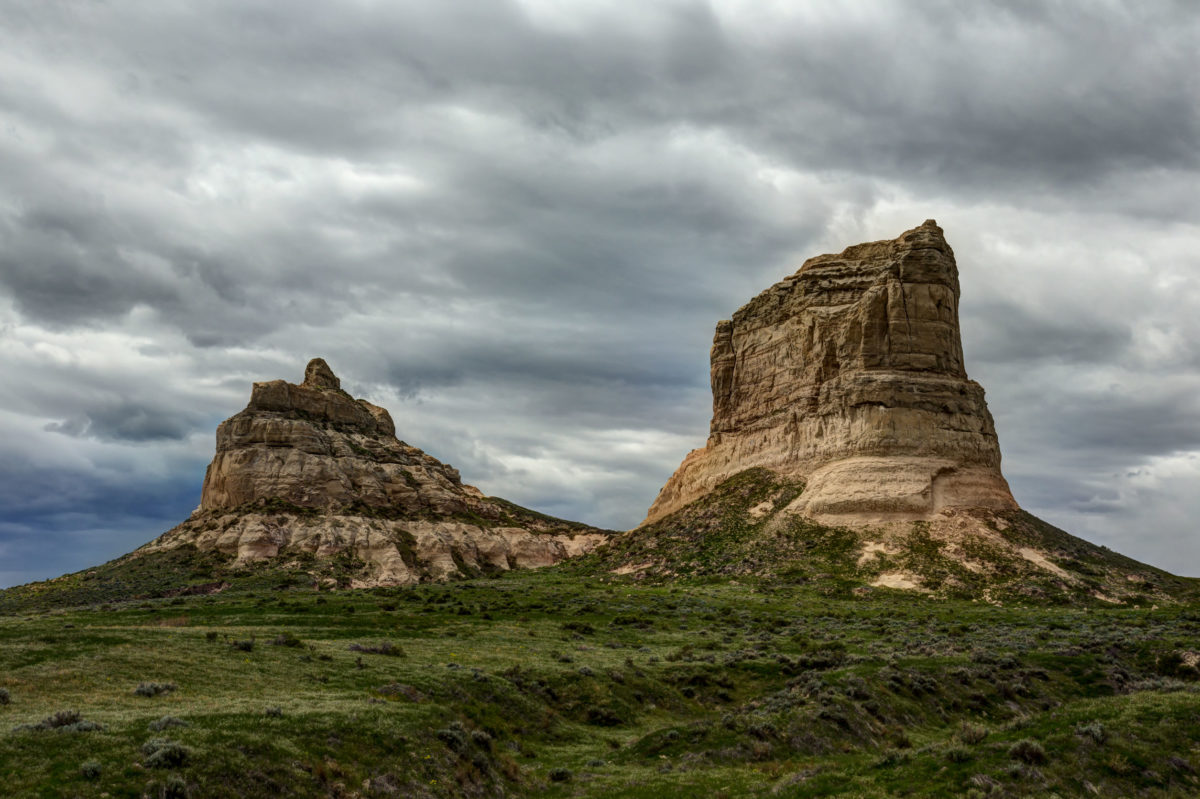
<point x="742" y="530"/>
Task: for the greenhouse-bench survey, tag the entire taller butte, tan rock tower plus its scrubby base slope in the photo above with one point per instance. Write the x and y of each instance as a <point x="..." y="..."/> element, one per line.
<point x="848" y="441"/>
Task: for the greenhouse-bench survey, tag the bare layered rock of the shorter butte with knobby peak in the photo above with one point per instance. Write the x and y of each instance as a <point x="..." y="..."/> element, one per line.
<point x="309" y="471"/>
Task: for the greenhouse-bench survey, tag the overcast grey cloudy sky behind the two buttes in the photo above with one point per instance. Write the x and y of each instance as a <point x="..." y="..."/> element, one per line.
<point x="515" y="224"/>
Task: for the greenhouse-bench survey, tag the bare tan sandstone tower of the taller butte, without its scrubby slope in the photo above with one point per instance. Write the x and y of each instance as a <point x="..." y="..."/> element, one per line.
<point x="849" y="375"/>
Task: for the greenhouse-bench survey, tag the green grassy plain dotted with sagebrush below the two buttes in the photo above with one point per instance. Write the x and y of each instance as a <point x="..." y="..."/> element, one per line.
<point x="565" y="684"/>
